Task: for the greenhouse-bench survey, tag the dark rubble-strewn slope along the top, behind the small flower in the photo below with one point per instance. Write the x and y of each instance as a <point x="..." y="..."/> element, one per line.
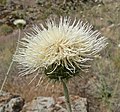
<point x="33" y="11"/>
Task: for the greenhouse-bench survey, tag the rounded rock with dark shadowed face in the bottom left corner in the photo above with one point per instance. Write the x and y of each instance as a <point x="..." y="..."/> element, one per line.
<point x="10" y="102"/>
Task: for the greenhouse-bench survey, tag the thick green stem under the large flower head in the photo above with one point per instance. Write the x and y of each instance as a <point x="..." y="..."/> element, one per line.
<point x="66" y="93"/>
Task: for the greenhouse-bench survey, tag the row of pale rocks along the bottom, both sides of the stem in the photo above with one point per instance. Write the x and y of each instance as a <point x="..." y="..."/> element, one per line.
<point x="15" y="103"/>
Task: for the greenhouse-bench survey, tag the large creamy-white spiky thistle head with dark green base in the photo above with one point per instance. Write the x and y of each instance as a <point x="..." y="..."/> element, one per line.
<point x="62" y="48"/>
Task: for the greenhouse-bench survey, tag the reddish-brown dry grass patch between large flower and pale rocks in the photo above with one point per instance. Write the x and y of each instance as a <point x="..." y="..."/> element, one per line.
<point x="28" y="91"/>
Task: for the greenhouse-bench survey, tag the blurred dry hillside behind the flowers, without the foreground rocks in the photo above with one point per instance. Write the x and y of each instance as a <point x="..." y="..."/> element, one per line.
<point x="101" y="85"/>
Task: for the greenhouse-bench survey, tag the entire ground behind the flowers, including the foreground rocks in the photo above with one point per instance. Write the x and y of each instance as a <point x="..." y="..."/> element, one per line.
<point x="104" y="15"/>
